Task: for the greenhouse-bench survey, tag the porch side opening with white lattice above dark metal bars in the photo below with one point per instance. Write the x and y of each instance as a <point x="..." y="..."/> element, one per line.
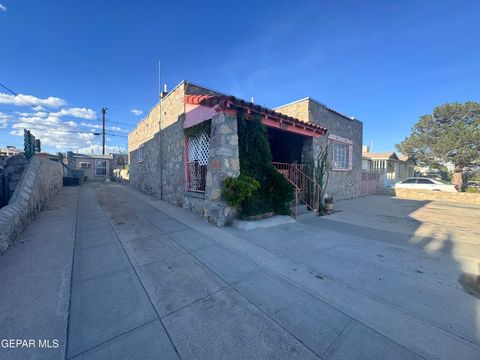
<point x="197" y="147"/>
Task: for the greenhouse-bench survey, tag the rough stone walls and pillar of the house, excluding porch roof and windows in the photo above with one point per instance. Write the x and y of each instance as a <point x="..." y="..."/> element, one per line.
<point x="157" y="152"/>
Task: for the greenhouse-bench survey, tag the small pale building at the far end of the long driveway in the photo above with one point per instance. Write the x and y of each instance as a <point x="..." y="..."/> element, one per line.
<point x="95" y="167"/>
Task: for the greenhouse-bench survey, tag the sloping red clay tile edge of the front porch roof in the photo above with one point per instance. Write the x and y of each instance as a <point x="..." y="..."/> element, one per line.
<point x="231" y="103"/>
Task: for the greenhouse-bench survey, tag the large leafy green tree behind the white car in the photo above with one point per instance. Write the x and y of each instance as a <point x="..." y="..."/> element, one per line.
<point x="450" y="135"/>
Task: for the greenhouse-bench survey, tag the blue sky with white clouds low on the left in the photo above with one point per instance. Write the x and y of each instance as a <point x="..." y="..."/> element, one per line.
<point x="383" y="62"/>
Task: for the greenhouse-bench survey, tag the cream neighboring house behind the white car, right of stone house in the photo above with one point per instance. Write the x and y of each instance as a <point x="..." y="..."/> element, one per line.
<point x="393" y="168"/>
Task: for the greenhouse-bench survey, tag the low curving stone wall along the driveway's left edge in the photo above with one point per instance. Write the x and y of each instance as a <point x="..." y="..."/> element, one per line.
<point x="41" y="180"/>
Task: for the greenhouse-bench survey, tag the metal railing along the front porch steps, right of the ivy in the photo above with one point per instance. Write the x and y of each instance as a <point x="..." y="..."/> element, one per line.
<point x="306" y="188"/>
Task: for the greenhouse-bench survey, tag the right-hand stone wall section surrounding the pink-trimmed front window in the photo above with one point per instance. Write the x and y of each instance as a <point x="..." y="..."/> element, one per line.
<point x="342" y="184"/>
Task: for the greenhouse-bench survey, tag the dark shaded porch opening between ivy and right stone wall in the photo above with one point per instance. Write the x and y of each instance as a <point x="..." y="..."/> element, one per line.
<point x="286" y="147"/>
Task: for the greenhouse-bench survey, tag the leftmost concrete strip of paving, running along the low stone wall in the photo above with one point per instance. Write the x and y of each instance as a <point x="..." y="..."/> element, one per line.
<point x="35" y="281"/>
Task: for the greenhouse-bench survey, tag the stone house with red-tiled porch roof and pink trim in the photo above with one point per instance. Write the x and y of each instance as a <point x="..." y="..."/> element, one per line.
<point x="185" y="168"/>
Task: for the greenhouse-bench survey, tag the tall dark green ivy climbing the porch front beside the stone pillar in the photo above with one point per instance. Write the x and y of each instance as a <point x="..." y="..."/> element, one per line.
<point x="275" y="192"/>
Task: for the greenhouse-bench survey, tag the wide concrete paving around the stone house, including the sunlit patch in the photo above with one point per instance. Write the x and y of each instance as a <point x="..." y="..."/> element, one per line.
<point x="127" y="276"/>
